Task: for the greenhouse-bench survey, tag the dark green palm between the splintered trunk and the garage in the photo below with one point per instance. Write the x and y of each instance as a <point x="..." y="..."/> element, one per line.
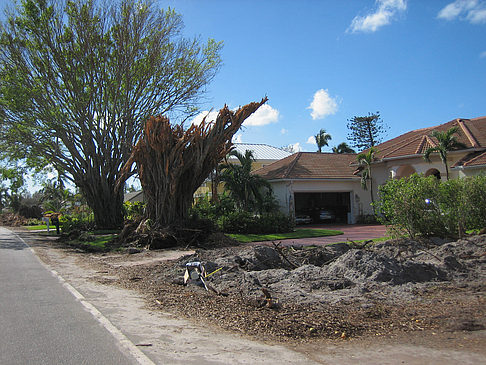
<point x="244" y="187"/>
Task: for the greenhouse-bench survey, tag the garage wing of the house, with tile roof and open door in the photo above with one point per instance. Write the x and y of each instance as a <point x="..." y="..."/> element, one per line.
<point x="307" y="183"/>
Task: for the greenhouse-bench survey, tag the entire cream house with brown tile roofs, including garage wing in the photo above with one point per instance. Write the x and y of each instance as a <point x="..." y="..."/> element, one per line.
<point x="306" y="183"/>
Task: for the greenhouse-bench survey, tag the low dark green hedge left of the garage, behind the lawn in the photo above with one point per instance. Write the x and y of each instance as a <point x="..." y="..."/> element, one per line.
<point x="244" y="222"/>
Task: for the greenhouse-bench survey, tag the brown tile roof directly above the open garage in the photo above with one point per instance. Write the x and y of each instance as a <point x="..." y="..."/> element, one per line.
<point x="310" y="165"/>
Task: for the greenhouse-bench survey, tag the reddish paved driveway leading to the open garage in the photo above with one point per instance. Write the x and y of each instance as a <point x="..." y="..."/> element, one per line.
<point x="352" y="232"/>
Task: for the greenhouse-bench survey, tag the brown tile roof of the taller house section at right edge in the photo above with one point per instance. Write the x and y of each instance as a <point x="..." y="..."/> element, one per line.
<point x="472" y="133"/>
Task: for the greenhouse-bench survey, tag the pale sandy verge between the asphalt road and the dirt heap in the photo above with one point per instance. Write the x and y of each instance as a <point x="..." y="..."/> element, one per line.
<point x="168" y="336"/>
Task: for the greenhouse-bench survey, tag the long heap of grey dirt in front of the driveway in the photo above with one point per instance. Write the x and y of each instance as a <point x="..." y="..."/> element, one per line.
<point x="334" y="273"/>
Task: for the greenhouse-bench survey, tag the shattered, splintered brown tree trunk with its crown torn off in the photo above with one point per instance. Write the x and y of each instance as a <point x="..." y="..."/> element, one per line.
<point x="172" y="162"/>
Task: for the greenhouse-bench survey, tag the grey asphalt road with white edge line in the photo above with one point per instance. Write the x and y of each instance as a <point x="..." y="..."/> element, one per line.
<point x="41" y="322"/>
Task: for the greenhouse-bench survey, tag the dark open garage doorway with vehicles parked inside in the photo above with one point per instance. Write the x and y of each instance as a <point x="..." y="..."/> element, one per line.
<point x="323" y="207"/>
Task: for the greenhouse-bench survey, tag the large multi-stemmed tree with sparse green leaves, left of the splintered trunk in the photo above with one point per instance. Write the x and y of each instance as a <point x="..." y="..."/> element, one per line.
<point x="78" y="78"/>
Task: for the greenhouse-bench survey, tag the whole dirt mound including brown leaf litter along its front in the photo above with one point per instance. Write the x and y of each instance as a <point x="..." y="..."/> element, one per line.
<point x="332" y="292"/>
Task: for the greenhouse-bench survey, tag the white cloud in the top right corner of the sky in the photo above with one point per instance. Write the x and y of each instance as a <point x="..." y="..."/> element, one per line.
<point x="473" y="11"/>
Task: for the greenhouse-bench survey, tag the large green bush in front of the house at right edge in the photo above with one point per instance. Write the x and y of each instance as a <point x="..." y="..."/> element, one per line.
<point x="425" y="206"/>
